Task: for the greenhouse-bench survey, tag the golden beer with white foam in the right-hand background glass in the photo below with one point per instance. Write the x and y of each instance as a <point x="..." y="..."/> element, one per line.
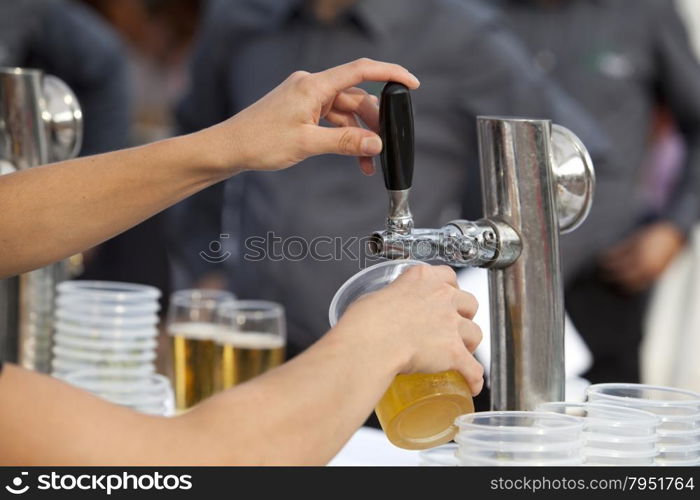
<point x="241" y="356"/>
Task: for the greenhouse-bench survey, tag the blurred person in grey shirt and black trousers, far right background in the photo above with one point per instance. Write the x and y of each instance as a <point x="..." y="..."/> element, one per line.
<point x="621" y="60"/>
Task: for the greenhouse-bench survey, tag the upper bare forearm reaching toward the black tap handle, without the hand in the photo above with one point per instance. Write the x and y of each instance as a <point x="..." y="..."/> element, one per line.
<point x="54" y="211"/>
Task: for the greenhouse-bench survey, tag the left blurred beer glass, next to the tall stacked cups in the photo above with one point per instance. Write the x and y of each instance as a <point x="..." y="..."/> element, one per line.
<point x="193" y="329"/>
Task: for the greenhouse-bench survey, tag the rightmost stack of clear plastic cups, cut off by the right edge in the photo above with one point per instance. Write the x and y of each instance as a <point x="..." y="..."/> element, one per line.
<point x="678" y="410"/>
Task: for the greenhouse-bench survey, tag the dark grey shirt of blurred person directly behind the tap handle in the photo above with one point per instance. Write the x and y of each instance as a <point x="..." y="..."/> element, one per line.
<point x="468" y="65"/>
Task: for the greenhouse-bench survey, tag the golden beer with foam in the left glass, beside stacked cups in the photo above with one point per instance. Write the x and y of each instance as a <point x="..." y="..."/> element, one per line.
<point x="194" y="356"/>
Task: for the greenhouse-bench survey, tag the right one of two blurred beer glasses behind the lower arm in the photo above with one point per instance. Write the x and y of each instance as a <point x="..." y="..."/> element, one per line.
<point x="251" y="340"/>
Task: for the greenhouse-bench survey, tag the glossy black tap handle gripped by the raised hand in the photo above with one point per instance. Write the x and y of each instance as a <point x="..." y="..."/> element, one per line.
<point x="396" y="131"/>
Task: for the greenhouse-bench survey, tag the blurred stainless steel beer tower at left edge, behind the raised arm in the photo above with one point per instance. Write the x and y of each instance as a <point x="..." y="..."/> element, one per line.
<point x="40" y="122"/>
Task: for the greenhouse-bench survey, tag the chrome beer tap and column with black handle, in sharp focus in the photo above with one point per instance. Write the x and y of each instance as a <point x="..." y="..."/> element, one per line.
<point x="537" y="182"/>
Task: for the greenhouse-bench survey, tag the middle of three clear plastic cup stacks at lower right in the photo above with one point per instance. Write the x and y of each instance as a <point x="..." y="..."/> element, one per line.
<point x="614" y="435"/>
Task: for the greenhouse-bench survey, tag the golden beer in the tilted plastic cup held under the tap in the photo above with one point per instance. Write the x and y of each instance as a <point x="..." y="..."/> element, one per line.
<point x="418" y="410"/>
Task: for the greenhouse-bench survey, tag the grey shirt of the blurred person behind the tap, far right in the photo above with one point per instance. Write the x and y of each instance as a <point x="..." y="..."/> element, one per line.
<point x="619" y="58"/>
